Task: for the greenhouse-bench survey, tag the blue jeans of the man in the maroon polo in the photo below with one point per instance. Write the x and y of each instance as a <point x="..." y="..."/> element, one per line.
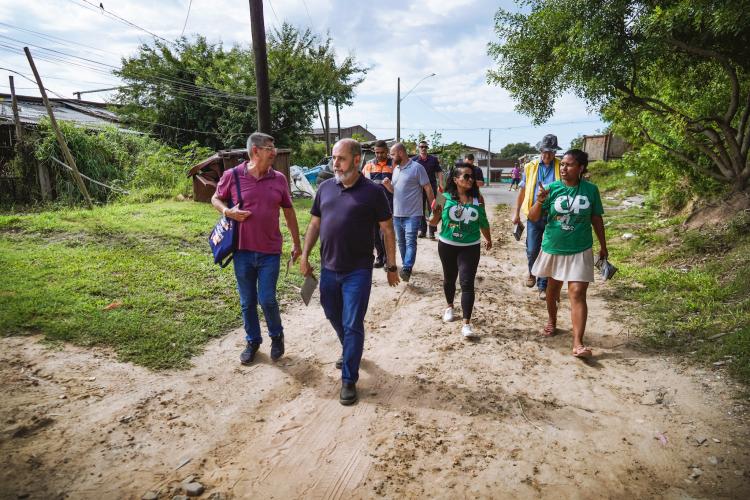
<point x="257" y="274"/>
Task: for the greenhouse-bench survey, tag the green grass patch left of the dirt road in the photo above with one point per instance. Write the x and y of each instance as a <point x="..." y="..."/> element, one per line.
<point x="62" y="268"/>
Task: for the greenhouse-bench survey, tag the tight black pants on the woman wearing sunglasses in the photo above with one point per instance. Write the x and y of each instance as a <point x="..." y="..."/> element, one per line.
<point x="461" y="262"/>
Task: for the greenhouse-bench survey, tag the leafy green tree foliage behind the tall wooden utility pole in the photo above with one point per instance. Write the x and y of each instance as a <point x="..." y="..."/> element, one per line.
<point x="197" y="91"/>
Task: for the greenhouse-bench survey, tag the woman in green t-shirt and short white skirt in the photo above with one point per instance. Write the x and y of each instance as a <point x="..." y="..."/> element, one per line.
<point x="573" y="206"/>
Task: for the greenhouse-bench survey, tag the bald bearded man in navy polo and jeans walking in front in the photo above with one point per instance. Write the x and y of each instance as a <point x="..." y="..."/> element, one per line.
<point x="343" y="214"/>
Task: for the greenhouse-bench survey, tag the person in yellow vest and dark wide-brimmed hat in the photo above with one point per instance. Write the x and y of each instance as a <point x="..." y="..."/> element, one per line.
<point x="543" y="171"/>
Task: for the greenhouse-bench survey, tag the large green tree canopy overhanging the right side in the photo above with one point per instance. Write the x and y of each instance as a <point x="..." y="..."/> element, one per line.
<point x="671" y="74"/>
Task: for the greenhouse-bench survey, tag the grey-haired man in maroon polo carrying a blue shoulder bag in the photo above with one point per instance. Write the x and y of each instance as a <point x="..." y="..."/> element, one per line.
<point x="258" y="255"/>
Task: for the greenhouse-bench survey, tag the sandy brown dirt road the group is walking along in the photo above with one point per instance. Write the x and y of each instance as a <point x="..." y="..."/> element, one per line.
<point x="511" y="415"/>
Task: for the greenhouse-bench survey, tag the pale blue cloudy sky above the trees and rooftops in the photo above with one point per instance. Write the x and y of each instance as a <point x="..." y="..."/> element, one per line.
<point x="410" y="39"/>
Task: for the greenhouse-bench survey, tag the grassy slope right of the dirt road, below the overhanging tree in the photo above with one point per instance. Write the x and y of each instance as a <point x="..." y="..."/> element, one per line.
<point x="685" y="286"/>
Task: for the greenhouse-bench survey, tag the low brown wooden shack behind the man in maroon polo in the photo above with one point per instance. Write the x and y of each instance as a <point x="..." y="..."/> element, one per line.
<point x="206" y="174"/>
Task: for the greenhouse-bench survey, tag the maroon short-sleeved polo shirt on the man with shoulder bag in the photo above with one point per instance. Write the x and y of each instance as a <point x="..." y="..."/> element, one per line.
<point x="263" y="197"/>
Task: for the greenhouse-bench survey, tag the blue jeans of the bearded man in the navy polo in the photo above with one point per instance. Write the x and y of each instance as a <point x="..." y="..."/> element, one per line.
<point x="344" y="297"/>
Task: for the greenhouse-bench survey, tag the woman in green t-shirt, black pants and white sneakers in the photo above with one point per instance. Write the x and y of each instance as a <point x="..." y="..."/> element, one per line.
<point x="463" y="221"/>
